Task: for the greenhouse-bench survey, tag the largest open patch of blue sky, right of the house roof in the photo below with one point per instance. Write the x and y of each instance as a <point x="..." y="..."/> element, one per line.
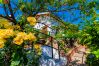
<point x="68" y="17"/>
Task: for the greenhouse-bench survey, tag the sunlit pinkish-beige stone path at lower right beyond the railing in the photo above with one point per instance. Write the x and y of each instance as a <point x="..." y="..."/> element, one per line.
<point x="77" y="55"/>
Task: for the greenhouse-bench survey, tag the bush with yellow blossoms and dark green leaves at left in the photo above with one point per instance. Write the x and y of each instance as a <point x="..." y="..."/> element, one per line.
<point x="17" y="42"/>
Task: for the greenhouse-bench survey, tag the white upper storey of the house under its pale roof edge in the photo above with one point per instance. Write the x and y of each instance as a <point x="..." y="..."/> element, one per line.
<point x="43" y="19"/>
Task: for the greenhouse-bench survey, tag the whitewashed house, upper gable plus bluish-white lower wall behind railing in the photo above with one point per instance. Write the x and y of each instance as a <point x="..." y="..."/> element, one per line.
<point x="43" y="20"/>
